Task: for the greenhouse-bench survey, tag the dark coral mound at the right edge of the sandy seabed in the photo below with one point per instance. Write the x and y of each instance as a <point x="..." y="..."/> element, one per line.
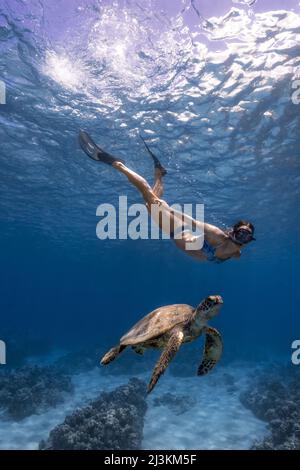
<point x="276" y="401"/>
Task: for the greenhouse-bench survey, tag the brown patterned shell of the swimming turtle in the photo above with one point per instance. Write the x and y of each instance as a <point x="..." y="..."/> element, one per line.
<point x="157" y="323"/>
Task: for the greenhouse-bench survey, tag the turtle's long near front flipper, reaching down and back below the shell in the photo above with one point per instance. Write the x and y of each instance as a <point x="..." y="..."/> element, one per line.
<point x="167" y="355"/>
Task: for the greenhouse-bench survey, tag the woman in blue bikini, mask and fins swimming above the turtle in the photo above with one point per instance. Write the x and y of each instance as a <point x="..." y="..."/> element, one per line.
<point x="216" y="246"/>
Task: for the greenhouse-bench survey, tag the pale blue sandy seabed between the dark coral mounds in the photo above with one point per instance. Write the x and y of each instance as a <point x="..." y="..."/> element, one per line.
<point x="215" y="420"/>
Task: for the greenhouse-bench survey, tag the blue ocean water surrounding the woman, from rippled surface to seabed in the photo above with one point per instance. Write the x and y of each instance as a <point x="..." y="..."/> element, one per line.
<point x="215" y="104"/>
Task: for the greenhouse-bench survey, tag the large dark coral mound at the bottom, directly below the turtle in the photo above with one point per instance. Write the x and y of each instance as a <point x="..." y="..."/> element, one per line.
<point x="113" y="421"/>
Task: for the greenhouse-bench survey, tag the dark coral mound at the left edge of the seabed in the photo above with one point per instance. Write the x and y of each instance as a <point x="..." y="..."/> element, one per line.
<point x="31" y="390"/>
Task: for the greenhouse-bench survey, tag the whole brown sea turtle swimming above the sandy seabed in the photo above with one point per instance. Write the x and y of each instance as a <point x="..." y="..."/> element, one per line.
<point x="168" y="328"/>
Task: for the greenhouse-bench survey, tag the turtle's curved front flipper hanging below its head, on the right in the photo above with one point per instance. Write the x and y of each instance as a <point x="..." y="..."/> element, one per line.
<point x="212" y="351"/>
